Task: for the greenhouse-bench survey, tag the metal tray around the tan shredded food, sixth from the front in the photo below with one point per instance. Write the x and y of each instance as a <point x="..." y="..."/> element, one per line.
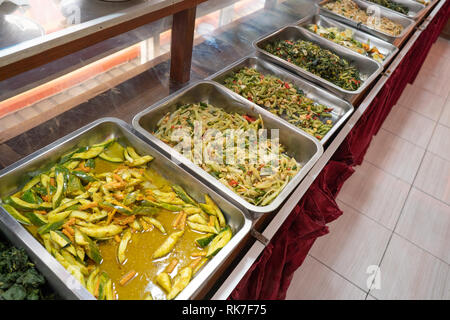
<point x="384" y="12"/>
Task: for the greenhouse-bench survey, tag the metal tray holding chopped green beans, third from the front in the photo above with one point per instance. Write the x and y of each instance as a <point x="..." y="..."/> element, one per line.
<point x="341" y="108"/>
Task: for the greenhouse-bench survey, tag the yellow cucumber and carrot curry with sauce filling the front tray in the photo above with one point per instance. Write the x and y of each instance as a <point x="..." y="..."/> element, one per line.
<point x="117" y="226"/>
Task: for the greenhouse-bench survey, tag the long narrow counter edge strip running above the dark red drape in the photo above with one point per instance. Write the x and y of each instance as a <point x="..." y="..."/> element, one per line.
<point x="255" y="250"/>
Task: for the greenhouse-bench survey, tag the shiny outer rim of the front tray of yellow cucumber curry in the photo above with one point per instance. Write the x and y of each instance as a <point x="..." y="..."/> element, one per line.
<point x="10" y="225"/>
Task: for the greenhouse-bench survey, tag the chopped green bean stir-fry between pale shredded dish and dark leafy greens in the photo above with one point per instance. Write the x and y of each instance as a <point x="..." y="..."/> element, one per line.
<point x="283" y="99"/>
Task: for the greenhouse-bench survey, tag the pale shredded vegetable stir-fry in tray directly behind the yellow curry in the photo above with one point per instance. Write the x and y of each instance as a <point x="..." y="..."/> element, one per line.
<point x="258" y="181"/>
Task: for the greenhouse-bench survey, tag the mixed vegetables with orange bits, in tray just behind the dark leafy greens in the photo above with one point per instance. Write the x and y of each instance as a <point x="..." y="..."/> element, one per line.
<point x="345" y="38"/>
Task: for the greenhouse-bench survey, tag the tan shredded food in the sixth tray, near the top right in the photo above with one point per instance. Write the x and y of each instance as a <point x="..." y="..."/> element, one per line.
<point x="350" y="9"/>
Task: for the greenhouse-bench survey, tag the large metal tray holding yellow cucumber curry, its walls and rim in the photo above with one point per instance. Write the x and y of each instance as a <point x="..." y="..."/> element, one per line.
<point x="96" y="132"/>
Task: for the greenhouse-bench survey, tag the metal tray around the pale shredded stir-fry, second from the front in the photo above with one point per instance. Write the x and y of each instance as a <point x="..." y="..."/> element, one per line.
<point x="305" y="149"/>
